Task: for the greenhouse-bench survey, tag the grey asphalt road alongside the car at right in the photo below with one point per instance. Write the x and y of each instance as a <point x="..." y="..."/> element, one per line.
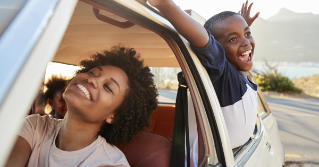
<point x="298" y="123"/>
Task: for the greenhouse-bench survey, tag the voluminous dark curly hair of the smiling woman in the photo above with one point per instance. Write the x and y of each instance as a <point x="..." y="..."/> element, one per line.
<point x="132" y="116"/>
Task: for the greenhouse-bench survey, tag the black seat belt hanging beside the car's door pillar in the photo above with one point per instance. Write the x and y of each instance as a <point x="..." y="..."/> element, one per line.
<point x="181" y="129"/>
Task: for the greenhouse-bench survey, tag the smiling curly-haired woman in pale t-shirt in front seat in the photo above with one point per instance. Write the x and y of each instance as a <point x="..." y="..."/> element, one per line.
<point x="109" y="100"/>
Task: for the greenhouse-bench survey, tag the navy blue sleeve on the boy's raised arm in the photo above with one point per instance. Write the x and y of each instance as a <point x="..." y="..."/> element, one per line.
<point x="212" y="57"/>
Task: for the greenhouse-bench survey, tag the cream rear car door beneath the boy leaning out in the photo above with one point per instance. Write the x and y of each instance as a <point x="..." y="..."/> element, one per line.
<point x="267" y="149"/>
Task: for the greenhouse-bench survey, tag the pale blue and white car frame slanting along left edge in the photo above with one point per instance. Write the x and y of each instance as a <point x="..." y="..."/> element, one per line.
<point x="28" y="41"/>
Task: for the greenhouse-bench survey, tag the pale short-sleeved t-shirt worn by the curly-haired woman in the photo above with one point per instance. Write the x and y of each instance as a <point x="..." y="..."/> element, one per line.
<point x="41" y="131"/>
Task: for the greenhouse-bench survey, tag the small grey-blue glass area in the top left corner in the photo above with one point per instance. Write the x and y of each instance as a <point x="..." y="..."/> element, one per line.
<point x="8" y="10"/>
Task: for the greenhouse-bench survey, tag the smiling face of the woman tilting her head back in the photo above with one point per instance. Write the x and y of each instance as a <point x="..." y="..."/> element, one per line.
<point x="95" y="95"/>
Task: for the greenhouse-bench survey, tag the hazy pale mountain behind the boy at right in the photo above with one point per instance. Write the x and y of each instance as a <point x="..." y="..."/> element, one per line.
<point x="287" y="36"/>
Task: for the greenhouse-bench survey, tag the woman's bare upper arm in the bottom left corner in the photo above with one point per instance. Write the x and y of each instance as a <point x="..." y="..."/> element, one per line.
<point x="20" y="153"/>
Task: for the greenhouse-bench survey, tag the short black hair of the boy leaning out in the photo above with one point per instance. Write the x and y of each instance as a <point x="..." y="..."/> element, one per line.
<point x="211" y="23"/>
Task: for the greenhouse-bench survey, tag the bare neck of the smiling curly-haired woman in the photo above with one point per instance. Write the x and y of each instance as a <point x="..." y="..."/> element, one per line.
<point x="75" y="135"/>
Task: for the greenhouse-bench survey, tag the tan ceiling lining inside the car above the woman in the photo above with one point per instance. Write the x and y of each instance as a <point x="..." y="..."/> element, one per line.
<point x="87" y="35"/>
